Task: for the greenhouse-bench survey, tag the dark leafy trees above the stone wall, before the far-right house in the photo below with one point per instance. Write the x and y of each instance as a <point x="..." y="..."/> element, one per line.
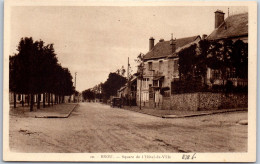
<point x="224" y="56"/>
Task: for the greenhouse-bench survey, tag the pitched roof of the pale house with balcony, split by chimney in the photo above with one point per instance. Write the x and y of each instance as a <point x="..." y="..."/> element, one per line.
<point x="164" y="49"/>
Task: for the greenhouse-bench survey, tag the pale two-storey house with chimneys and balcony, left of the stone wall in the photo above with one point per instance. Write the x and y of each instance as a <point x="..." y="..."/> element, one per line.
<point x="160" y="70"/>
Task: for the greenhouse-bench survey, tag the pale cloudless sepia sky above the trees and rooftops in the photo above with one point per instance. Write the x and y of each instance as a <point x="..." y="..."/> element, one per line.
<point x="94" y="41"/>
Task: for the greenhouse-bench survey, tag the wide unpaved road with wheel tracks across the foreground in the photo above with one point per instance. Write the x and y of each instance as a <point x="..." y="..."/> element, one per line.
<point x="94" y="127"/>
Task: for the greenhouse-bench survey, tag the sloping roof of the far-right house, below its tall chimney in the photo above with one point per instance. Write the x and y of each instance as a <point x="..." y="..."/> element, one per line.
<point x="233" y="26"/>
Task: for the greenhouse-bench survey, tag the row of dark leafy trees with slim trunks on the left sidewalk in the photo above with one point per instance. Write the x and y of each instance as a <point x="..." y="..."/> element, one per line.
<point x="35" y="70"/>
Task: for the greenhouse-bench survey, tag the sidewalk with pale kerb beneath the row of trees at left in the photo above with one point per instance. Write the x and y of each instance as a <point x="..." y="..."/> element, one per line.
<point x="55" y="111"/>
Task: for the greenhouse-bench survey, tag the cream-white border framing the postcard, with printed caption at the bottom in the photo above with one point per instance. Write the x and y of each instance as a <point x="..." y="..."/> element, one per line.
<point x="250" y="156"/>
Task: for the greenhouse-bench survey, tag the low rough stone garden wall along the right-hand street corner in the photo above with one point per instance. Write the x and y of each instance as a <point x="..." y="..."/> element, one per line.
<point x="204" y="101"/>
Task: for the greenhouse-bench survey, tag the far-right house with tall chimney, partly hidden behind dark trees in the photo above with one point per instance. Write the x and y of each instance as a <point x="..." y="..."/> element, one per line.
<point x="234" y="27"/>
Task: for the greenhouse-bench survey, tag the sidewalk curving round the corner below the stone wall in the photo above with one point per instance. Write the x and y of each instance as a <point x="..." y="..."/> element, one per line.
<point x="179" y="113"/>
